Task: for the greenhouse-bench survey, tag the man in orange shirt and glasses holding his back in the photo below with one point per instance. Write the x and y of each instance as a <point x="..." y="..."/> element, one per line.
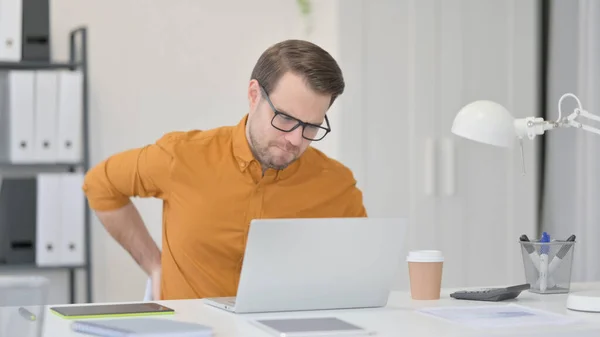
<point x="214" y="182"/>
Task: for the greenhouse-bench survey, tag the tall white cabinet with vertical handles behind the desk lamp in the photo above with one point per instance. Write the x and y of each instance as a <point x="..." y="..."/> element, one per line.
<point x="419" y="62"/>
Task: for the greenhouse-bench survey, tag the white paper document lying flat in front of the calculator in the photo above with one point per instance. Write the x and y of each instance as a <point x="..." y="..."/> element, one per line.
<point x="495" y="316"/>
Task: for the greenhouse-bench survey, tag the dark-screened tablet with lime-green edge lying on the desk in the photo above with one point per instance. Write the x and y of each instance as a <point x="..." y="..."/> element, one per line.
<point x="111" y="310"/>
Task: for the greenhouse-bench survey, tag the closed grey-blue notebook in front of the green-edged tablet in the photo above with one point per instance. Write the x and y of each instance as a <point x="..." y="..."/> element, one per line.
<point x="141" y="327"/>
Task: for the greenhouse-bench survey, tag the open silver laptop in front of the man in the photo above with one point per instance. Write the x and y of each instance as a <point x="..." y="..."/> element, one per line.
<point x="317" y="264"/>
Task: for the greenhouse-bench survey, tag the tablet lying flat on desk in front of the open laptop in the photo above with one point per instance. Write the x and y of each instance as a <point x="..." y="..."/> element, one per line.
<point x="305" y="327"/>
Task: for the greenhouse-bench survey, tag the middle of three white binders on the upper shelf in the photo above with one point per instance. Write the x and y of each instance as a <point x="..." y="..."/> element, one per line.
<point x="45" y="111"/>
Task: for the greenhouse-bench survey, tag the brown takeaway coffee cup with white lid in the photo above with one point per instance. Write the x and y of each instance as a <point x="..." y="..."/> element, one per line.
<point x="425" y="273"/>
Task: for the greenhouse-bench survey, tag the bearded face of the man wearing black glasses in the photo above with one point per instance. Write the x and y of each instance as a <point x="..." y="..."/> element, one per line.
<point x="274" y="148"/>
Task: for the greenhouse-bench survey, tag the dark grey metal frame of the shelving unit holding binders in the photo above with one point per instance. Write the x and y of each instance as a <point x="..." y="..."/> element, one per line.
<point x="77" y="61"/>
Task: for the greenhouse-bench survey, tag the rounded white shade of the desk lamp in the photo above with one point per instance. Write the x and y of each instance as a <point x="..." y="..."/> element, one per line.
<point x="486" y="122"/>
